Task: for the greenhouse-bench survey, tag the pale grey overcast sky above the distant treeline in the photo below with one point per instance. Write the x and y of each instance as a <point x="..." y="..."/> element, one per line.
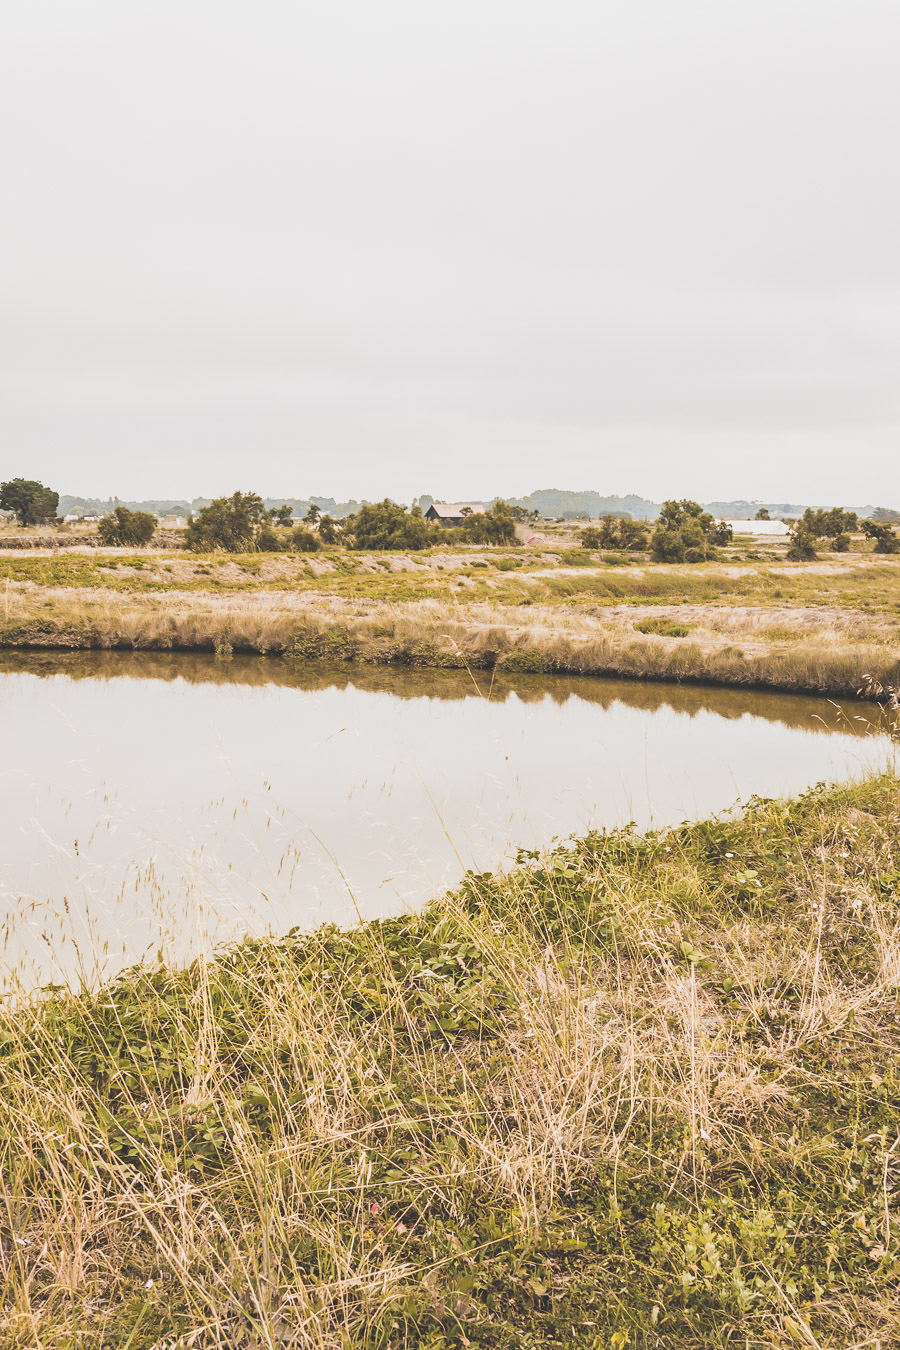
<point x="473" y="248"/>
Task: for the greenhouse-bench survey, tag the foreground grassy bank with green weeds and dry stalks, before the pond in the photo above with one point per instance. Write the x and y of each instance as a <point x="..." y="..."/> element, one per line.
<point x="639" y="1093"/>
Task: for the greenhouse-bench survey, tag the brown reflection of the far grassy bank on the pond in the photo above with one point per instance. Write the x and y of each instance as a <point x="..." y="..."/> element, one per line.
<point x="798" y="711"/>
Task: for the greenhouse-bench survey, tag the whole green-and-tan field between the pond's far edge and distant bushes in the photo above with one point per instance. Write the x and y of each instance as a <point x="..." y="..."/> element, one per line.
<point x="829" y="627"/>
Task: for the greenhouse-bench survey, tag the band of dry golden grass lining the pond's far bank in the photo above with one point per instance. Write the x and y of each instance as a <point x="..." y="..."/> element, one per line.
<point x="817" y="650"/>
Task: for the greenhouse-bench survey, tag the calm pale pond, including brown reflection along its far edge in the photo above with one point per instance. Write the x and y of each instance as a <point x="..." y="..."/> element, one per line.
<point x="167" y="803"/>
